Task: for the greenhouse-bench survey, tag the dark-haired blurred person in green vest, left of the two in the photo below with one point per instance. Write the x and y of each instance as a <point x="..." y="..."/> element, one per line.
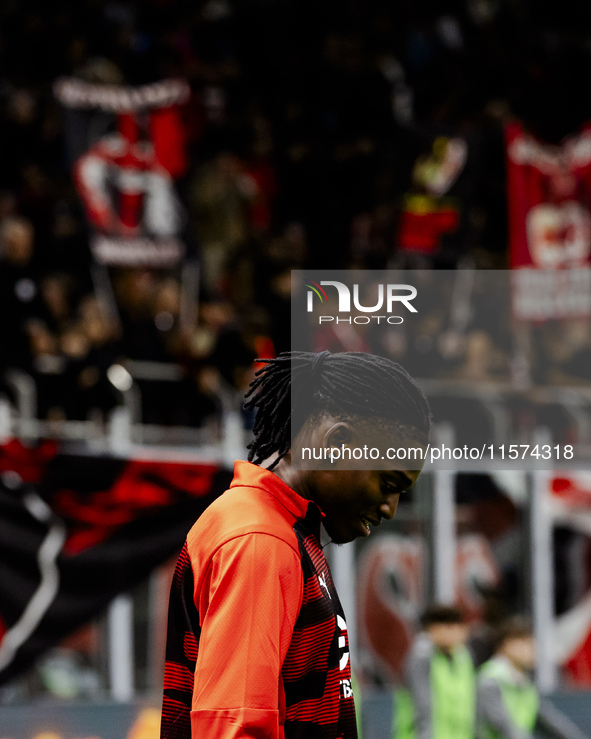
<point x="439" y="701"/>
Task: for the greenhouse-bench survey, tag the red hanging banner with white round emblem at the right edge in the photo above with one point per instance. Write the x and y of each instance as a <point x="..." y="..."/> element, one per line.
<point x="549" y="203"/>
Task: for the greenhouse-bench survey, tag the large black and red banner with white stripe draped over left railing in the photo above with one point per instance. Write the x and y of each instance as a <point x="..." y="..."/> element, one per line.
<point x="75" y="531"/>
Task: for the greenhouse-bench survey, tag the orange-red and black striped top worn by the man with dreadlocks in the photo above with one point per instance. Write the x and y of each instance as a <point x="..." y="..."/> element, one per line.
<point x="257" y="640"/>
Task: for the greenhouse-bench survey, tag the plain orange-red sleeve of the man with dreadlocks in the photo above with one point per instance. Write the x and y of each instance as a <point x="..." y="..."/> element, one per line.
<point x="249" y="601"/>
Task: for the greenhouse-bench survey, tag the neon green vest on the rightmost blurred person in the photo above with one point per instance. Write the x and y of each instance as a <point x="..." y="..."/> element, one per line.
<point x="520" y="700"/>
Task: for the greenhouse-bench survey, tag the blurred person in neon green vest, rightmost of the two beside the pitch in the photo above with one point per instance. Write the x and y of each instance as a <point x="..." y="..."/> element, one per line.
<point x="508" y="704"/>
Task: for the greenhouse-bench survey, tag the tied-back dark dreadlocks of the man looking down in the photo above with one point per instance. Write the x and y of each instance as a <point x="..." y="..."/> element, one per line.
<point x="295" y="385"/>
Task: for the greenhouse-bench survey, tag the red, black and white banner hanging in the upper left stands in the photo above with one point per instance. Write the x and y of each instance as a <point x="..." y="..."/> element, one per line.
<point x="126" y="147"/>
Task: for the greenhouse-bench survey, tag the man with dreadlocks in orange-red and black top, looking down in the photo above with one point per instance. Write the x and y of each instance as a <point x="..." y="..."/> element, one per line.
<point x="257" y="640"/>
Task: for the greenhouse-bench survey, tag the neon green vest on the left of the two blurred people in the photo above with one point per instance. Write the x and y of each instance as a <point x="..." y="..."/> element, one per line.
<point x="453" y="699"/>
